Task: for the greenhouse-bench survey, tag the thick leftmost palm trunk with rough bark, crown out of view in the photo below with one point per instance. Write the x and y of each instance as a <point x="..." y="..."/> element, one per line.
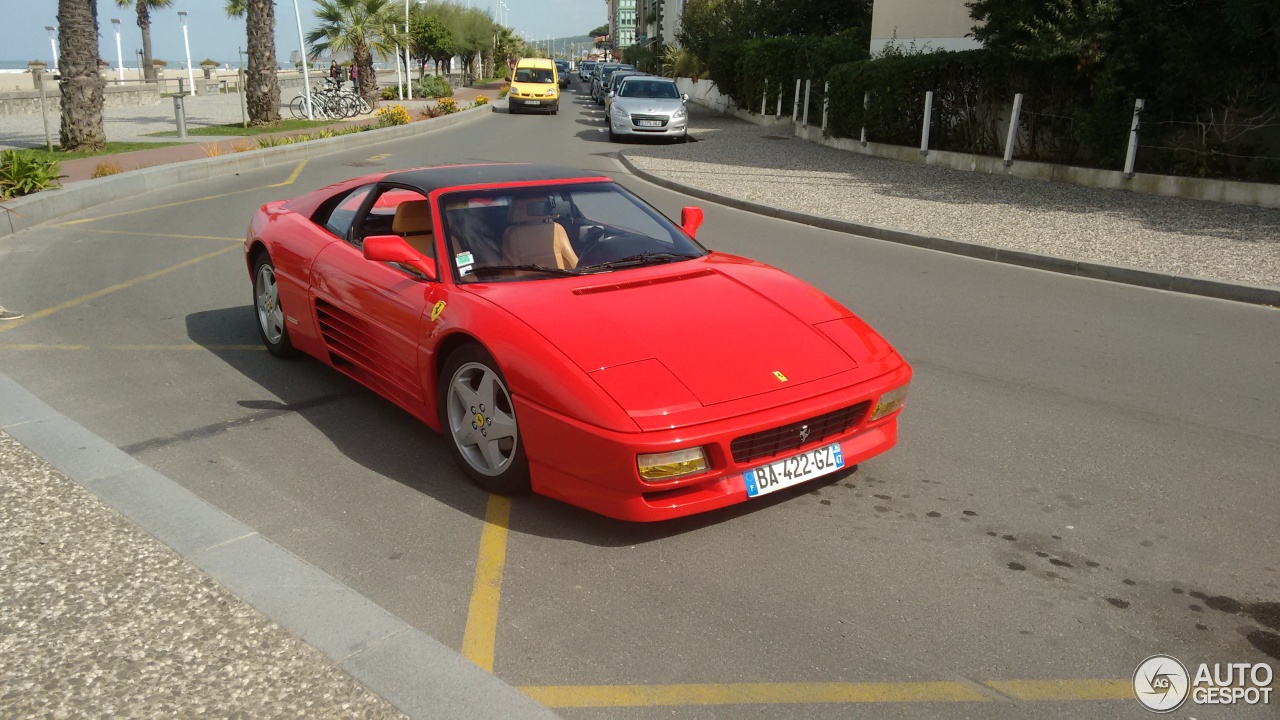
<point x="83" y="85"/>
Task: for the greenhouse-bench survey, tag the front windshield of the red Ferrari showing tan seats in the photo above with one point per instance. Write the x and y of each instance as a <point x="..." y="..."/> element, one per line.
<point x="554" y="231"/>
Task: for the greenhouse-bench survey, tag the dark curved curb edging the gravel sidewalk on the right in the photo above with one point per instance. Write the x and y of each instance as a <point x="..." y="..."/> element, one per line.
<point x="1188" y="285"/>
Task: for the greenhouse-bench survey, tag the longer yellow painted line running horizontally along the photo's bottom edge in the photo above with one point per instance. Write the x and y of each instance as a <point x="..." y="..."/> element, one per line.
<point x="751" y="694"/>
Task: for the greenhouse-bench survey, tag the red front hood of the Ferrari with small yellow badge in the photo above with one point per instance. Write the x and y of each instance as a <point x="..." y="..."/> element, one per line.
<point x="697" y="334"/>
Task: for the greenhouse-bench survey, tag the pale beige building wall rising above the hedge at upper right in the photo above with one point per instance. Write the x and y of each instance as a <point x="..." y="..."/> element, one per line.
<point x="929" y="25"/>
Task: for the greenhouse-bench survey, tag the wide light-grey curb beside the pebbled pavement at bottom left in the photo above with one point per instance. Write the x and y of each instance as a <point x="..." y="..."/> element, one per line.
<point x="405" y="667"/>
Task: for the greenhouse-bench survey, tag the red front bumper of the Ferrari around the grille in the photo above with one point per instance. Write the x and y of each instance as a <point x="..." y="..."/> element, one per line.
<point x="596" y="470"/>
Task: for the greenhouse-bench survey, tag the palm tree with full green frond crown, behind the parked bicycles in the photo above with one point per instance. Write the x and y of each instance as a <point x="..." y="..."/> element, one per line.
<point x="362" y="28"/>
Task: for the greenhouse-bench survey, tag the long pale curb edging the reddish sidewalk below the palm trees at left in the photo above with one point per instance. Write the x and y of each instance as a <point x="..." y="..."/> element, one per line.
<point x="43" y="207"/>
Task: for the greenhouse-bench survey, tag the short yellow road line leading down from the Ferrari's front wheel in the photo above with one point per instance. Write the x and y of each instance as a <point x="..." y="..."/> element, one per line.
<point x="482" y="631"/>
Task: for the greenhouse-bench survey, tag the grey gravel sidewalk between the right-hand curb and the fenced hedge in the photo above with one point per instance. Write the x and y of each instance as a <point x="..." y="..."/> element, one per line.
<point x="1190" y="238"/>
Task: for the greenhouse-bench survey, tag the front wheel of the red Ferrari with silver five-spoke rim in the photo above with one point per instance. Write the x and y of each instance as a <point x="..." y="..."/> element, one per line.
<point x="479" y="418"/>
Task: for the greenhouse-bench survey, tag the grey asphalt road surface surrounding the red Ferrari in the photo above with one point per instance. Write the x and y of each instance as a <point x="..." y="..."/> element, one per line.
<point x="1087" y="473"/>
